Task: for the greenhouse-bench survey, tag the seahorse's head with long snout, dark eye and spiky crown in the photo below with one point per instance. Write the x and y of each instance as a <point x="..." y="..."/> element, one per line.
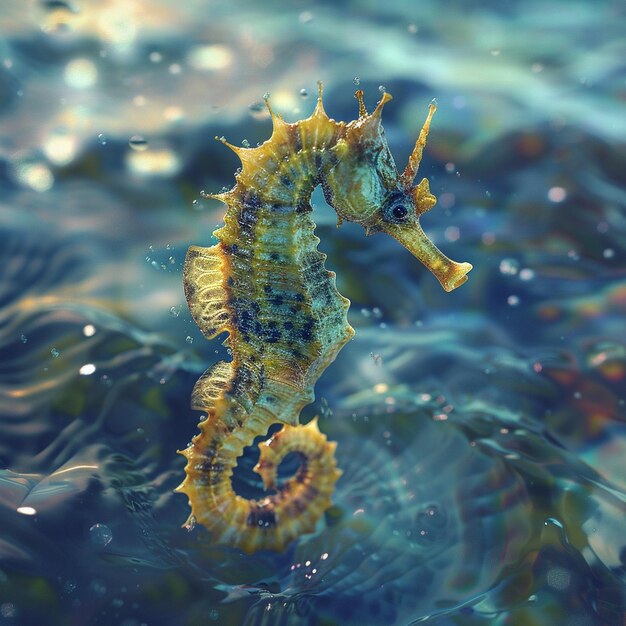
<point x="364" y="186"/>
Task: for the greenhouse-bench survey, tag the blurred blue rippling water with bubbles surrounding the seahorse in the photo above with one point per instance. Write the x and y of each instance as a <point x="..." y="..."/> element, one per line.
<point x="482" y="433"/>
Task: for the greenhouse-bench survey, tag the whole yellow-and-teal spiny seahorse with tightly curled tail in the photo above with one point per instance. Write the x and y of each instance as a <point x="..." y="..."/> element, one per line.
<point x="266" y="285"/>
